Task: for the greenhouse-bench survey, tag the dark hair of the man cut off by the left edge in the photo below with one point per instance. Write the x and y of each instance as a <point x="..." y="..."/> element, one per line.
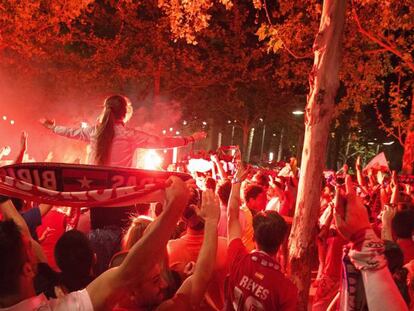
<point x="13" y="256"/>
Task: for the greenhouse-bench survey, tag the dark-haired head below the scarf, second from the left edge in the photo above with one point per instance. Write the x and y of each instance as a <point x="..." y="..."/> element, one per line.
<point x="74" y="257"/>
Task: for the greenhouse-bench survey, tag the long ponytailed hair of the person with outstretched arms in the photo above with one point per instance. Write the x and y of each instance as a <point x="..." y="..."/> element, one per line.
<point x="115" y="109"/>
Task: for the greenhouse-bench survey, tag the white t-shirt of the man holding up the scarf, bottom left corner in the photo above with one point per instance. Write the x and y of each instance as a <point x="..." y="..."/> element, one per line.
<point x="75" y="301"/>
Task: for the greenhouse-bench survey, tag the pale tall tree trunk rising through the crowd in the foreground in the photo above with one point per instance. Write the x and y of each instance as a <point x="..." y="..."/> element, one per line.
<point x="324" y="82"/>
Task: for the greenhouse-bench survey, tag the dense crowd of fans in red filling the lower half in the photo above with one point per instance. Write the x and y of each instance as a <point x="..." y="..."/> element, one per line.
<point x="216" y="242"/>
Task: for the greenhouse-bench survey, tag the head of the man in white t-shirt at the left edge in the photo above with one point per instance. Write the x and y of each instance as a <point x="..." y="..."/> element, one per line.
<point x="16" y="260"/>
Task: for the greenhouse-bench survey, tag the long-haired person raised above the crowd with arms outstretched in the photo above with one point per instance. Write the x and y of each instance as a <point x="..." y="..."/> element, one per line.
<point x="114" y="144"/>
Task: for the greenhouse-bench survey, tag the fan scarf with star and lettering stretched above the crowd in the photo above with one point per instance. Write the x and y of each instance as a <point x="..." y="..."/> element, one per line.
<point x="80" y="185"/>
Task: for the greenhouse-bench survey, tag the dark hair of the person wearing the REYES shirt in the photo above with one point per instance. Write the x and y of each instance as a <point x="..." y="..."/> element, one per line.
<point x="269" y="231"/>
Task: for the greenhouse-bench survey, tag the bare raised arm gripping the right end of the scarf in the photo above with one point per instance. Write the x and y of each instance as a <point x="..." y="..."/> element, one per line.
<point x="145" y="253"/>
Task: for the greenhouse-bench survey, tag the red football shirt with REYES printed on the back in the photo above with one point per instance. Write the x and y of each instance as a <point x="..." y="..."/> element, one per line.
<point x="256" y="282"/>
